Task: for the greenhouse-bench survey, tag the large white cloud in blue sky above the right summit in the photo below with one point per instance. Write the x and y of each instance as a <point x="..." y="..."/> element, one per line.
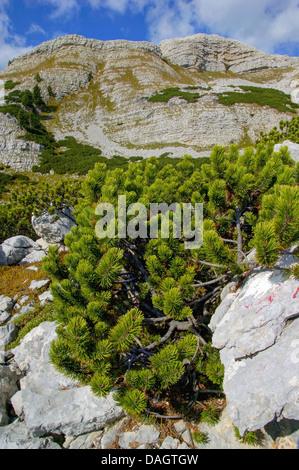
<point x="264" y="24"/>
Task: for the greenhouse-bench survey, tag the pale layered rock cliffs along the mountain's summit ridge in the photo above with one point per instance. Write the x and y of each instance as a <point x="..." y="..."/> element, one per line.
<point x="206" y="52"/>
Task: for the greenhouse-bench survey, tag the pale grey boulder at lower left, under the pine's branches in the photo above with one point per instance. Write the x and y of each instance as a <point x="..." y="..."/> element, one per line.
<point x="50" y="402"/>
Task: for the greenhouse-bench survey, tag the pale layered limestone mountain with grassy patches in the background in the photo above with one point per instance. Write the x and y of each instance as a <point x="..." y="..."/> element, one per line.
<point x="139" y="99"/>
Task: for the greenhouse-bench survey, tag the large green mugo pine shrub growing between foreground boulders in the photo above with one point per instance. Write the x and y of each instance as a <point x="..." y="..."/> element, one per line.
<point x="133" y="313"/>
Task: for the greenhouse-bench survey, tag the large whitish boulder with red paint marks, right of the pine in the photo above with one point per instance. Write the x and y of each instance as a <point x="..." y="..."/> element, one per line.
<point x="256" y="330"/>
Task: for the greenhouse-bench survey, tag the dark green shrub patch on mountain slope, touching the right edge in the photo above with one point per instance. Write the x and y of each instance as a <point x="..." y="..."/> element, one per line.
<point x="260" y="96"/>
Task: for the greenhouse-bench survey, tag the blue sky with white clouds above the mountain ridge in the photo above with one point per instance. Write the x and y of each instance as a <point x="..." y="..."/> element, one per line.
<point x="269" y="25"/>
